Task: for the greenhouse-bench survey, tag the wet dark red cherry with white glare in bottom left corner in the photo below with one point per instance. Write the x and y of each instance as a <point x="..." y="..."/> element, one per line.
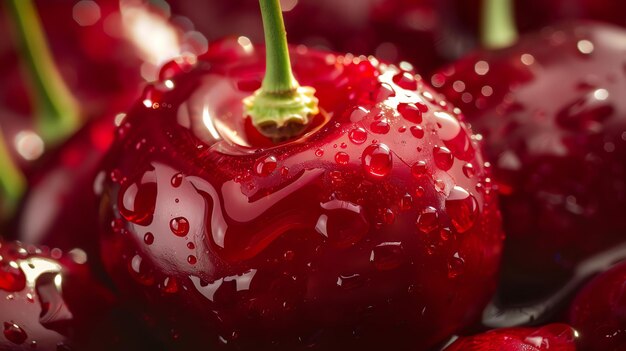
<point x="49" y="300"/>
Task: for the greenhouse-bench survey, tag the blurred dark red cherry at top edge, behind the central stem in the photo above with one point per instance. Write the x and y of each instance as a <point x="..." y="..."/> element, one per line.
<point x="422" y="32"/>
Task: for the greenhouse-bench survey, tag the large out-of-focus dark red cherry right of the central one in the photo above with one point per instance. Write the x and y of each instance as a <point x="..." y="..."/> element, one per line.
<point x="551" y="112"/>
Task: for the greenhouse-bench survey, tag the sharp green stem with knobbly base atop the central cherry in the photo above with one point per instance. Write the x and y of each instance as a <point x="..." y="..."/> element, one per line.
<point x="281" y="108"/>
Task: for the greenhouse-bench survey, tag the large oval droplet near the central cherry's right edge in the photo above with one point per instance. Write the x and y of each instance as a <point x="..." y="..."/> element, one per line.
<point x="462" y="208"/>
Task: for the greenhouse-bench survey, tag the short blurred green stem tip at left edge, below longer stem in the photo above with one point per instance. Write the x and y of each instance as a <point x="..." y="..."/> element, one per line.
<point x="12" y="182"/>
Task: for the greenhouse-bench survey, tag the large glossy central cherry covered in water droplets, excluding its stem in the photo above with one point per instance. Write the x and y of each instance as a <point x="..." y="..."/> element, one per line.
<point x="343" y="237"/>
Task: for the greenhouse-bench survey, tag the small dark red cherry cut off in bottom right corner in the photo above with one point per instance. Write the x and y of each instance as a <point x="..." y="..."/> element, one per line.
<point x="599" y="311"/>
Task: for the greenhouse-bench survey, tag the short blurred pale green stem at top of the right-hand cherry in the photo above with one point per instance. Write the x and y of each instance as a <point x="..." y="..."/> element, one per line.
<point x="498" y="29"/>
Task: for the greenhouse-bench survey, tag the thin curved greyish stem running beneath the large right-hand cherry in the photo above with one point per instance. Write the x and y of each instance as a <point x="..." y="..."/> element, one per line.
<point x="495" y="316"/>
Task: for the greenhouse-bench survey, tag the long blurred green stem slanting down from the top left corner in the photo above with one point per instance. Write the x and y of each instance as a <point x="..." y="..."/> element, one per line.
<point x="57" y="112"/>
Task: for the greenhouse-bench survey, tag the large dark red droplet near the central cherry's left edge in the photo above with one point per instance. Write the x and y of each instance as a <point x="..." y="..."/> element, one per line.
<point x="137" y="200"/>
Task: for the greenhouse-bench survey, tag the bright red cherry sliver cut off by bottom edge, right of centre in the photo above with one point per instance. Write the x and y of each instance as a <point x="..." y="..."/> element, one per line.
<point x="553" y="337"/>
